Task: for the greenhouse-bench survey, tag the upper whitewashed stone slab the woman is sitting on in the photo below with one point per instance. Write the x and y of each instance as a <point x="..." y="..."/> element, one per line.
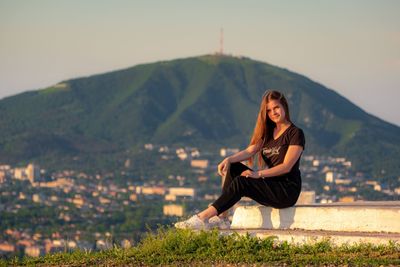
<point x="380" y="216"/>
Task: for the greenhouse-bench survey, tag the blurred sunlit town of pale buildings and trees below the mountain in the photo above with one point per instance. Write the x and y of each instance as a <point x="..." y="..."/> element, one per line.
<point x="43" y="212"/>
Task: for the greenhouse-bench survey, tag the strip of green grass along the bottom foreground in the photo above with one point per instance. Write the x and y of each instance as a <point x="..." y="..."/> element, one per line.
<point x="169" y="246"/>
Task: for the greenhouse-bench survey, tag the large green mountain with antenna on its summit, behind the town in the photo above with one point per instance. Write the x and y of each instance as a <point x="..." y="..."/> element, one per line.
<point x="201" y="101"/>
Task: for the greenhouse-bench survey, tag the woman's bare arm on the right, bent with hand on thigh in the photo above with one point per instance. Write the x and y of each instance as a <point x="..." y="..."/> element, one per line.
<point x="292" y="155"/>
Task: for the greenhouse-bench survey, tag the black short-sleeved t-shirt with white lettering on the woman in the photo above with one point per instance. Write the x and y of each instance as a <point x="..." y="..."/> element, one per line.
<point x="274" y="151"/>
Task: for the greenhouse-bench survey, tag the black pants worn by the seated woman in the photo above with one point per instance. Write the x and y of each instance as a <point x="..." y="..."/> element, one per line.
<point x="278" y="192"/>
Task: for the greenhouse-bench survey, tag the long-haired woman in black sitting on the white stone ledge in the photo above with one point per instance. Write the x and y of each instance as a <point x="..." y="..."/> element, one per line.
<point x="279" y="145"/>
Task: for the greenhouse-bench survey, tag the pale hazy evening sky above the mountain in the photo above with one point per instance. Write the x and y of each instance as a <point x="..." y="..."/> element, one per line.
<point x="350" y="46"/>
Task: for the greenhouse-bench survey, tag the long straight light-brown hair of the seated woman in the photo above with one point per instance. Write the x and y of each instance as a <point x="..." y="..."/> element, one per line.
<point x="263" y="131"/>
